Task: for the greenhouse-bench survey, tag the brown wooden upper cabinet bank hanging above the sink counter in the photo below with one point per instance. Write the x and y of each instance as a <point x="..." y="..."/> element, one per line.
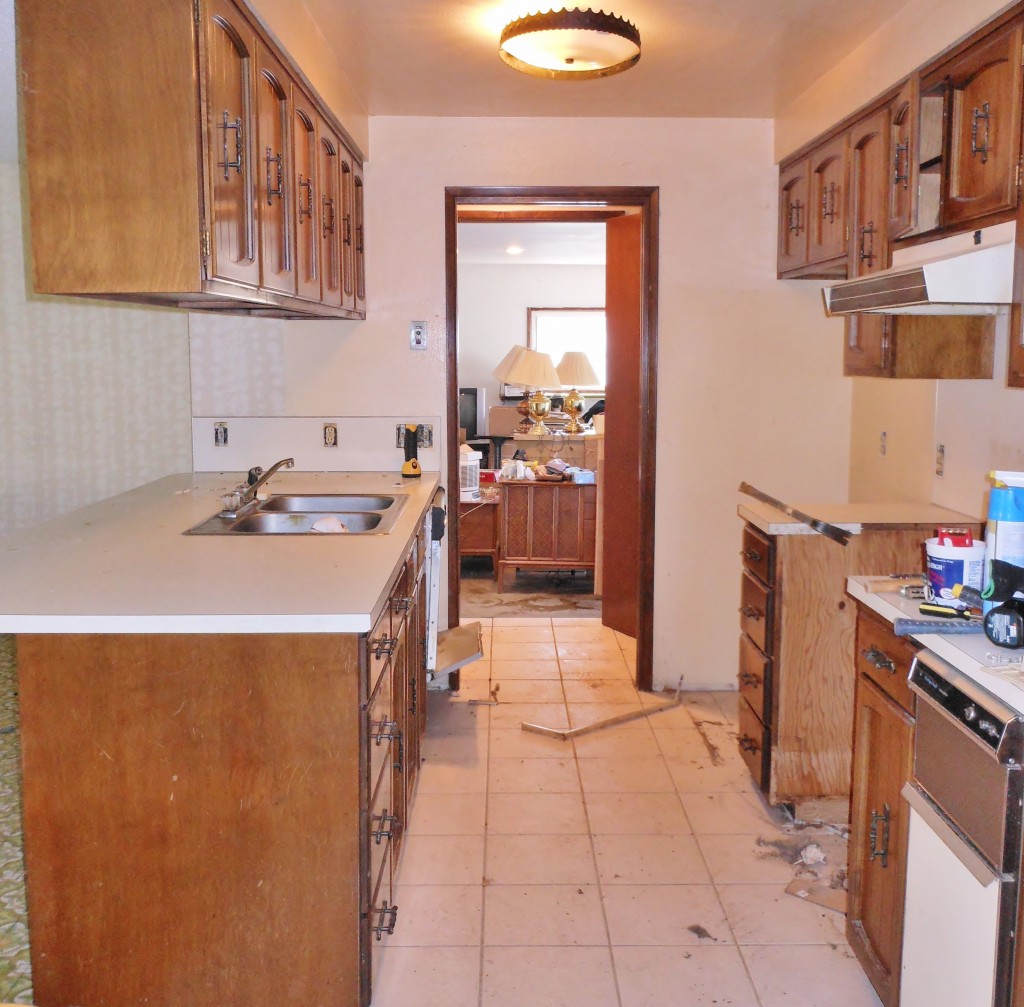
<point x="219" y="215"/>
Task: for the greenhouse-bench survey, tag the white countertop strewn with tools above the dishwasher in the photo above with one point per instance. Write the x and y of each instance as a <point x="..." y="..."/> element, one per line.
<point x="969" y="654"/>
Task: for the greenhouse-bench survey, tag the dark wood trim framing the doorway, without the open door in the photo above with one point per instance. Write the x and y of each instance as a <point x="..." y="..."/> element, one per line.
<point x="647" y="198"/>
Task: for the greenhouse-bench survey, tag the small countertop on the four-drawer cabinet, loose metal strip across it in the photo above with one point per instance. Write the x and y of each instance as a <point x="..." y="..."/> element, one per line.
<point x="854" y="518"/>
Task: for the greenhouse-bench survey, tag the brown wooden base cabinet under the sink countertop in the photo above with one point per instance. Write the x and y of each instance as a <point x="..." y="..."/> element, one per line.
<point x="218" y="811"/>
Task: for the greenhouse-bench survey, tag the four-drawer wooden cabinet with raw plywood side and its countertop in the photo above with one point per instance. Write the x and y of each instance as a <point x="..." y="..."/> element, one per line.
<point x="797" y="644"/>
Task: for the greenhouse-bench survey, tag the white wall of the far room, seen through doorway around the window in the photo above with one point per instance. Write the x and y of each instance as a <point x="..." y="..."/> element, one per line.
<point x="493" y="303"/>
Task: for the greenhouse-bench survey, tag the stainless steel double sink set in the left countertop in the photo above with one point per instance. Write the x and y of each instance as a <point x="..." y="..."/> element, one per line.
<point x="297" y="514"/>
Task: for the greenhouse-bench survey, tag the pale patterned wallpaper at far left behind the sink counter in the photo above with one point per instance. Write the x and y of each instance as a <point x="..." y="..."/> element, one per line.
<point x="95" y="398"/>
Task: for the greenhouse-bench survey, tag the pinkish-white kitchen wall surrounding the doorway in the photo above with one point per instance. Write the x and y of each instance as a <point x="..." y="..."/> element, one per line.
<point x="749" y="387"/>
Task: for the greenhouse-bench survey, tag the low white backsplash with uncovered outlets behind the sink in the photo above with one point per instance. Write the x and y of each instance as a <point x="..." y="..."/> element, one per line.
<point x="366" y="444"/>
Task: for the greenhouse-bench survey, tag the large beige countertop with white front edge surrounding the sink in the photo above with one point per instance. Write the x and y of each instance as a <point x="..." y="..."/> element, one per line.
<point x="123" y="565"/>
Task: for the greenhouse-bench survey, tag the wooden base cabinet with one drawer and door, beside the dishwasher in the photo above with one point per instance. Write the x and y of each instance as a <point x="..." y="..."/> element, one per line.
<point x="883" y="763"/>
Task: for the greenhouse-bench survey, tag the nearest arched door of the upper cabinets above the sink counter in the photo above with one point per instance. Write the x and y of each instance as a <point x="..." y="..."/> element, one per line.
<point x="232" y="179"/>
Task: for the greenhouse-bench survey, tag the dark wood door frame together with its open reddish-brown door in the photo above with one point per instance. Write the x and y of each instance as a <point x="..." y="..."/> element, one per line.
<point x="634" y="500"/>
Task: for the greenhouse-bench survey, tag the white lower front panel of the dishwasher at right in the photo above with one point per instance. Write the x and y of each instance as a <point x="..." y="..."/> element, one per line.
<point x="951" y="921"/>
